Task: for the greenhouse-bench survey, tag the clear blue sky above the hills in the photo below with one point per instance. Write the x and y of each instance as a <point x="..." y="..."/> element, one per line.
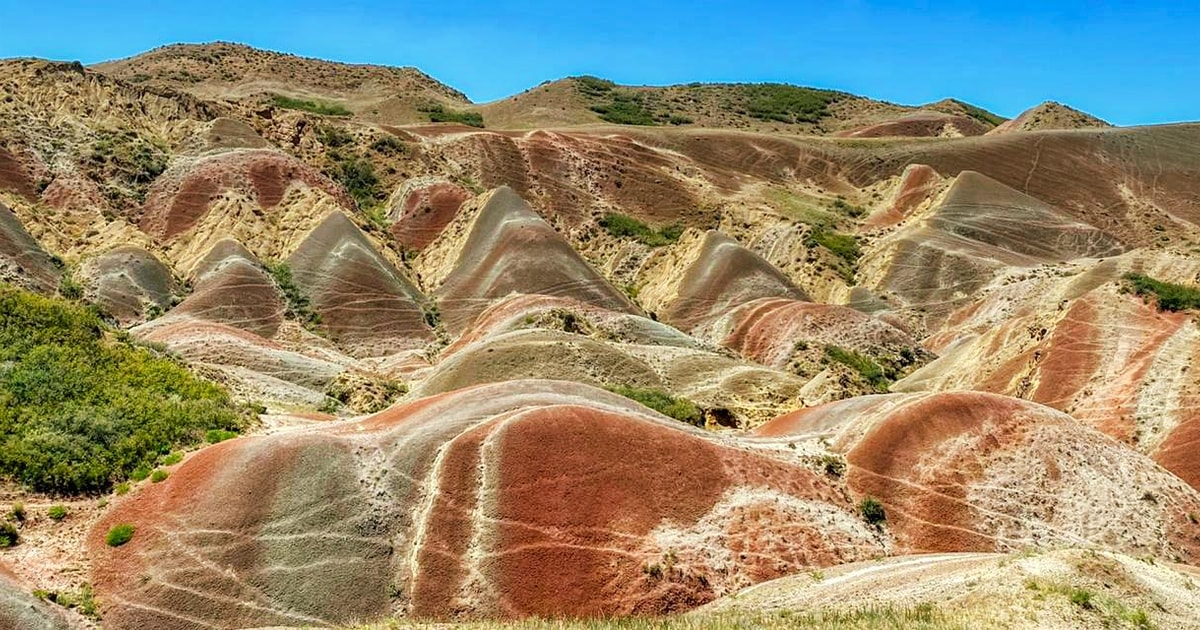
<point x="1130" y="62"/>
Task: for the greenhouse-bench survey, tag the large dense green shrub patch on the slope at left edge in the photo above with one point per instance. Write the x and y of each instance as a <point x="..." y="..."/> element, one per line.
<point x="81" y="411"/>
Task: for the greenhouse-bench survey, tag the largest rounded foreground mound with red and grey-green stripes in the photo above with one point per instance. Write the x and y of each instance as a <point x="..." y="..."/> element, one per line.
<point x="513" y="500"/>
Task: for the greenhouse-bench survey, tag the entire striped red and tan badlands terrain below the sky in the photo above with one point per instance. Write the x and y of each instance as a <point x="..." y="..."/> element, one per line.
<point x="298" y="344"/>
